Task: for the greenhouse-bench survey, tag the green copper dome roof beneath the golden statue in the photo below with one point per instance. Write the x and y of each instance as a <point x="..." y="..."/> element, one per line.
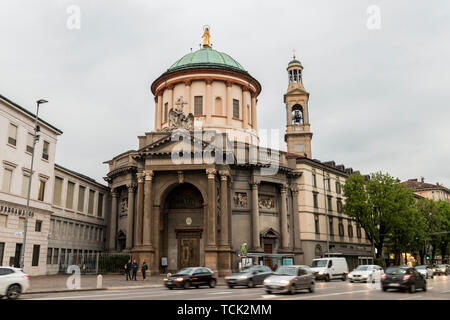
<point x="206" y="58"/>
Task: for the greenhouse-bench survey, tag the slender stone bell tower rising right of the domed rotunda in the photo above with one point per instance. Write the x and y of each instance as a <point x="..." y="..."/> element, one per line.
<point x="298" y="135"/>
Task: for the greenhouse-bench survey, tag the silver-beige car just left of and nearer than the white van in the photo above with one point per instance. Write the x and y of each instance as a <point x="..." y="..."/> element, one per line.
<point x="290" y="279"/>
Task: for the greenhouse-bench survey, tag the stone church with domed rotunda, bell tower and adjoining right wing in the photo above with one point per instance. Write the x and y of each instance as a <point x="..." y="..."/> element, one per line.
<point x="199" y="186"/>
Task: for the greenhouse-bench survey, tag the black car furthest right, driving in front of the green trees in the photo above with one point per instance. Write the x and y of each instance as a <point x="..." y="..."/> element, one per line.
<point x="403" y="278"/>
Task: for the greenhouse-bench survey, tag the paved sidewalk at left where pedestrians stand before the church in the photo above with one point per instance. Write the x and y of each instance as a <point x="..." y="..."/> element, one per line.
<point x="57" y="283"/>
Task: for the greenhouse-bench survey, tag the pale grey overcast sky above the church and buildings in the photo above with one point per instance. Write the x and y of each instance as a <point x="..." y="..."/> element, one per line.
<point x="379" y="97"/>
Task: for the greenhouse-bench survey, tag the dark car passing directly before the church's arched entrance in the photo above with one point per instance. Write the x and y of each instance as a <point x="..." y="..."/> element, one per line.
<point x="191" y="277"/>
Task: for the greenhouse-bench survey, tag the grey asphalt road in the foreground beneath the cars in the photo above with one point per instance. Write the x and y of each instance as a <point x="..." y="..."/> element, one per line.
<point x="438" y="289"/>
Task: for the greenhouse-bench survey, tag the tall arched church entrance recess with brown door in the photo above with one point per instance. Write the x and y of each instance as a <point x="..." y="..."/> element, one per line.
<point x="182" y="219"/>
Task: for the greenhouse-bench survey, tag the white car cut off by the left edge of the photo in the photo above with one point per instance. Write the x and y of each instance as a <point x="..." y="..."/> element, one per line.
<point x="13" y="282"/>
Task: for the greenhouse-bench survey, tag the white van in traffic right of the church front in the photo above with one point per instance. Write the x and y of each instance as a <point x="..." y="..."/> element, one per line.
<point x="330" y="268"/>
